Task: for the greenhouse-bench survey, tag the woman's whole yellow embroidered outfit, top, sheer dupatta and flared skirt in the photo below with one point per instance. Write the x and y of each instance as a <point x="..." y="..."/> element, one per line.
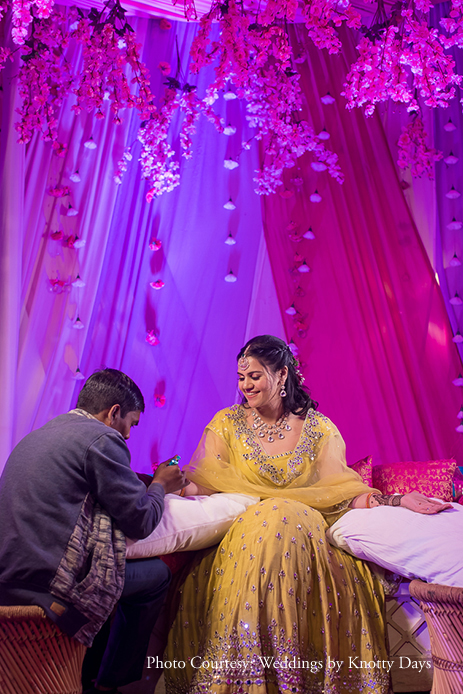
<point x="274" y="608"/>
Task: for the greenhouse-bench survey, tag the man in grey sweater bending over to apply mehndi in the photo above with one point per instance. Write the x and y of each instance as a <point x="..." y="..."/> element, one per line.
<point x="68" y="498"/>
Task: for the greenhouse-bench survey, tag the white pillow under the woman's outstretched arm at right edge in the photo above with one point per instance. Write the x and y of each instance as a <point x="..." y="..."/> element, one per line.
<point x="407" y="543"/>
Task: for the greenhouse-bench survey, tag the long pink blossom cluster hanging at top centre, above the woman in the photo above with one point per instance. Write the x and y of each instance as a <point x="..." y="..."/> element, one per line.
<point x="254" y="55"/>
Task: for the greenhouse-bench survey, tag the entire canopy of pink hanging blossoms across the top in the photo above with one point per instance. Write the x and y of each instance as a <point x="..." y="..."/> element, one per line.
<point x="400" y="57"/>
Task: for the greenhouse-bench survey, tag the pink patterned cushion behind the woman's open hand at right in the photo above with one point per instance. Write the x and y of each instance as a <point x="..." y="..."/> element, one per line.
<point x="432" y="478"/>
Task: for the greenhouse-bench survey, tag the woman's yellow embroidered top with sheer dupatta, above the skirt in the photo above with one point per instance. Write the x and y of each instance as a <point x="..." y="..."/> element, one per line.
<point x="229" y="458"/>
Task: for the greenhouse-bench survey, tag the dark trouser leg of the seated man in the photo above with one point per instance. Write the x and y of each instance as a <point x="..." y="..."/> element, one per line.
<point x="119" y="650"/>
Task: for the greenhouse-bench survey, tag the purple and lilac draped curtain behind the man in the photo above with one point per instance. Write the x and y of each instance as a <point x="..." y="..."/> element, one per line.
<point x="200" y="319"/>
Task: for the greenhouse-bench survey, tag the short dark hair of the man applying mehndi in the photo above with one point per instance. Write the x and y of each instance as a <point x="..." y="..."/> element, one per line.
<point x="110" y="387"/>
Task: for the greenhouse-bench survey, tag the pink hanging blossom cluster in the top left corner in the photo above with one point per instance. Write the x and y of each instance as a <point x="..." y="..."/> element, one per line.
<point x="46" y="78"/>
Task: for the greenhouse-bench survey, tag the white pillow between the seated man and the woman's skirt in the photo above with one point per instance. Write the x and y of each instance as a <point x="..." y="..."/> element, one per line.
<point x="191" y="522"/>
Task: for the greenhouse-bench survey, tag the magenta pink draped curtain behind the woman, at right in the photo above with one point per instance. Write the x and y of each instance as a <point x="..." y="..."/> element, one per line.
<point x="378" y="352"/>
